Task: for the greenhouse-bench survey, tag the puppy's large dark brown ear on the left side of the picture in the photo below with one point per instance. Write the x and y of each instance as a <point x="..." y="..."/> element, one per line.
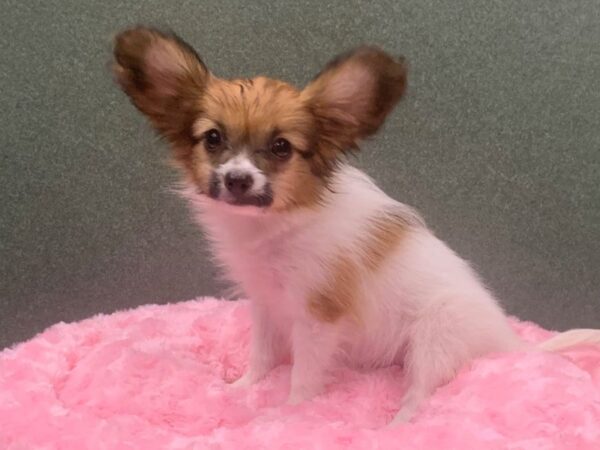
<point x="165" y="79"/>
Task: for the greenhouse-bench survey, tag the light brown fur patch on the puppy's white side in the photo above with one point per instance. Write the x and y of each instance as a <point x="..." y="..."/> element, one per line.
<point x="340" y="297"/>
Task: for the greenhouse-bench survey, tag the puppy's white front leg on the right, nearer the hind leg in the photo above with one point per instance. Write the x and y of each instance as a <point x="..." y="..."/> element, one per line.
<point x="313" y="347"/>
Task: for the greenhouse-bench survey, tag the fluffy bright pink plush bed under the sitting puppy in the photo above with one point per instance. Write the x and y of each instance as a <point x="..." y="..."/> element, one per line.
<point x="153" y="378"/>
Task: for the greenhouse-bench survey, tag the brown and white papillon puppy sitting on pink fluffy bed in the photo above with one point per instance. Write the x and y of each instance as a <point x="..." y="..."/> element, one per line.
<point x="336" y="270"/>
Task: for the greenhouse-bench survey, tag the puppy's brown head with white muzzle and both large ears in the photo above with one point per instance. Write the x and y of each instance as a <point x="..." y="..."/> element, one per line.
<point x="256" y="142"/>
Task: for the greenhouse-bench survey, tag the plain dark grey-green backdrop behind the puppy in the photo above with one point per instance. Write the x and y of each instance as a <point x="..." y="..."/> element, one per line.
<point x="497" y="143"/>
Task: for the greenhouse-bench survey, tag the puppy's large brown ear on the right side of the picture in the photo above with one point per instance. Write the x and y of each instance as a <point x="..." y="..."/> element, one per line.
<point x="354" y="94"/>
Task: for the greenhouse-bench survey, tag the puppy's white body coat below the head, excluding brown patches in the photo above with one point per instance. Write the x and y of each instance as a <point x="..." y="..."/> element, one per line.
<point x="425" y="308"/>
